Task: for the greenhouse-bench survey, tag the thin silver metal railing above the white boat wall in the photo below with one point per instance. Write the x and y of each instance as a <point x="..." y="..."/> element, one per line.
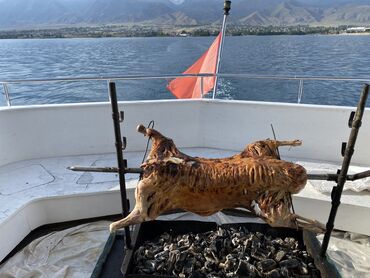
<point x="300" y="79"/>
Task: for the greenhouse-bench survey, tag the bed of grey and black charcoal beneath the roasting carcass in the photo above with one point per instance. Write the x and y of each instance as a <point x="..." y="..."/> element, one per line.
<point x="226" y="253"/>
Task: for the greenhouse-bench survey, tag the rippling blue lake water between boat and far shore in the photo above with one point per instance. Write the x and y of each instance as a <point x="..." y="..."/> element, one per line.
<point x="345" y="56"/>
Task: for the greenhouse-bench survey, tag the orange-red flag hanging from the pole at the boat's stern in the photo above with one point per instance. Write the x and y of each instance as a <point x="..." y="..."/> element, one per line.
<point x="190" y="87"/>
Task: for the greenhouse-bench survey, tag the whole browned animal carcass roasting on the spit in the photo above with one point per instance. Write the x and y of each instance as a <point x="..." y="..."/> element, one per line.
<point x="254" y="179"/>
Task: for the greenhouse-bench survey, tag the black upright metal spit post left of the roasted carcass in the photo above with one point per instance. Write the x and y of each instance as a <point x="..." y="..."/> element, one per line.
<point x="117" y="118"/>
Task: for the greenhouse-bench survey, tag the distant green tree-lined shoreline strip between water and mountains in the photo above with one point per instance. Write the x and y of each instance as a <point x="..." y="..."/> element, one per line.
<point x="125" y="31"/>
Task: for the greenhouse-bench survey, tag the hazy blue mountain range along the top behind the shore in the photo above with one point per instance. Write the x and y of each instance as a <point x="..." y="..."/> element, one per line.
<point x="26" y="14"/>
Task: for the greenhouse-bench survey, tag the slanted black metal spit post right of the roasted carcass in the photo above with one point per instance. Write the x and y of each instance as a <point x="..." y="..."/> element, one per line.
<point x="349" y="150"/>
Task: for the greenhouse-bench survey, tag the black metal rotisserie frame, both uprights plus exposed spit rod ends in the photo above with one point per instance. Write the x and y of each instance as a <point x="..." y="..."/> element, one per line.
<point x="340" y="178"/>
